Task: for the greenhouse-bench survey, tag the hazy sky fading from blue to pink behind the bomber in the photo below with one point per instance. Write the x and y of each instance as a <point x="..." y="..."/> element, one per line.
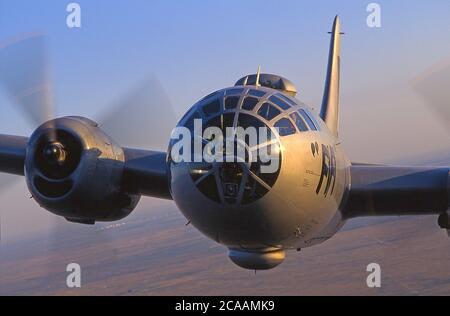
<point x="195" y="47"/>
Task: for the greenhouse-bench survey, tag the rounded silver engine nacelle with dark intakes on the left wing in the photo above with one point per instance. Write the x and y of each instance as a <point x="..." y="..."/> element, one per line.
<point x="74" y="170"/>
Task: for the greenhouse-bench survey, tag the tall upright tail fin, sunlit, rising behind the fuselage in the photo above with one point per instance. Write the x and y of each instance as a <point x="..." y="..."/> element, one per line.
<point x="330" y="104"/>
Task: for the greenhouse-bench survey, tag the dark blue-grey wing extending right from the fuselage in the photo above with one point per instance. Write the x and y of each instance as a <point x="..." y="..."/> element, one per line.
<point x="389" y="191"/>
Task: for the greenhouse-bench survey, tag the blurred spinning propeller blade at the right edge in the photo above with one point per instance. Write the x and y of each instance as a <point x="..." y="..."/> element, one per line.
<point x="433" y="85"/>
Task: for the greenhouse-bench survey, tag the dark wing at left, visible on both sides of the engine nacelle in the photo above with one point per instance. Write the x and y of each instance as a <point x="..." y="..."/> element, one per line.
<point x="145" y="171"/>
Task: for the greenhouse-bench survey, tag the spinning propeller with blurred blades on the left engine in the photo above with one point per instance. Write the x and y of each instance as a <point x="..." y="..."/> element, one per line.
<point x="142" y="118"/>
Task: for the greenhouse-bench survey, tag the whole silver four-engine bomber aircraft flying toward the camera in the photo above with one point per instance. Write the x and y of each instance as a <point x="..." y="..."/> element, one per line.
<point x="250" y="166"/>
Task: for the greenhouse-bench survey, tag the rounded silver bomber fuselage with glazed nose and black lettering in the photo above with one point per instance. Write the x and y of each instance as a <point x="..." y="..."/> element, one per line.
<point x="298" y="204"/>
